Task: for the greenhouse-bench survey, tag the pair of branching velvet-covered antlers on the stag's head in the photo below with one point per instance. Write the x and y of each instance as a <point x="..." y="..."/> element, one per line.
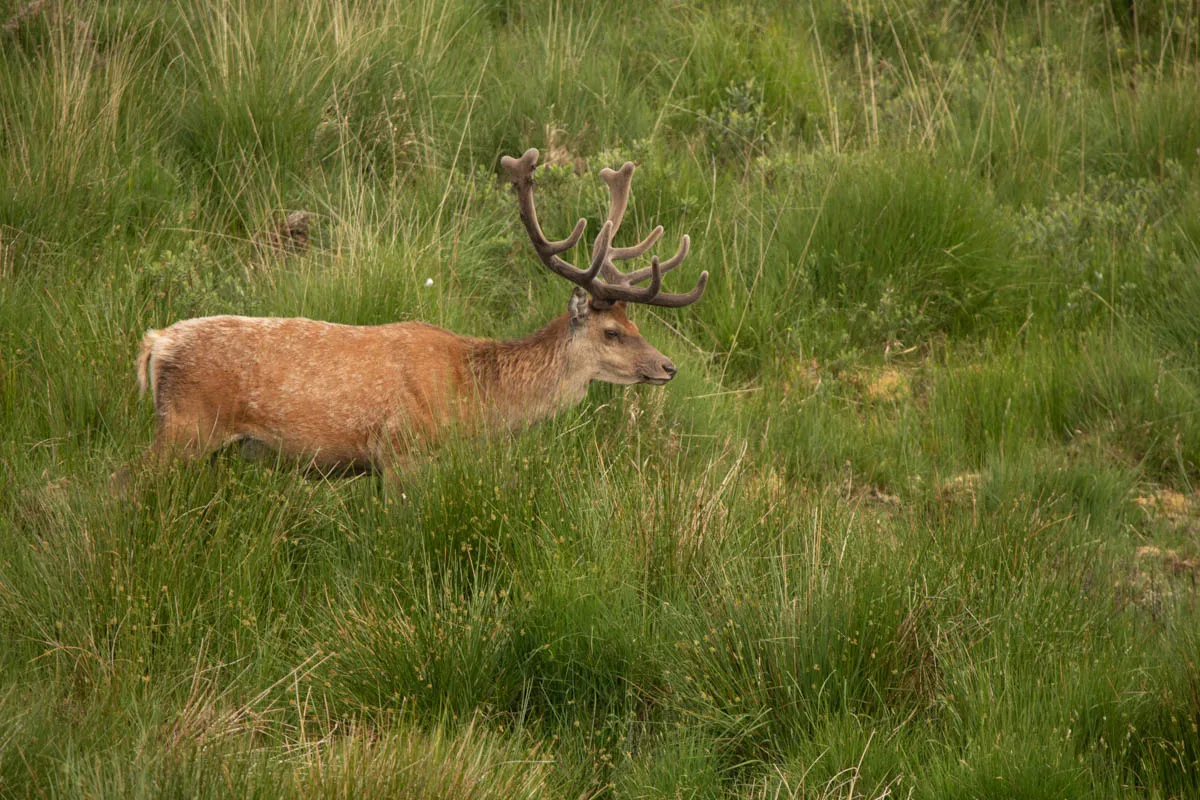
<point x="617" y="286"/>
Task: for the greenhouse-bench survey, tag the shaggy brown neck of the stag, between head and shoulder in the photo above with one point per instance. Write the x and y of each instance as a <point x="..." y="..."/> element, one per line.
<point x="529" y="380"/>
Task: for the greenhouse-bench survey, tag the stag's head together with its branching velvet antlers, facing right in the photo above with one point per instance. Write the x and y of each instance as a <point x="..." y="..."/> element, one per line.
<point x="601" y="333"/>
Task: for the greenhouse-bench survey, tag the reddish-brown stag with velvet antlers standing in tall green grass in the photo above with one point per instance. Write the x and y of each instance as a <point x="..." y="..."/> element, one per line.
<point x="358" y="398"/>
